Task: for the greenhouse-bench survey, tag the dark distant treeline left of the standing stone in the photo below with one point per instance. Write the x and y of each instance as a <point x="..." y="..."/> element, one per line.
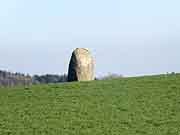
<point x="15" y="79"/>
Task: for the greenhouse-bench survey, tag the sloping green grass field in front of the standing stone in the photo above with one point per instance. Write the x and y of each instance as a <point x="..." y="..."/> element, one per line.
<point x="127" y="106"/>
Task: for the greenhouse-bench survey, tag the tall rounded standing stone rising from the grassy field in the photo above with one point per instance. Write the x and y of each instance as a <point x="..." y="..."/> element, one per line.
<point x="81" y="66"/>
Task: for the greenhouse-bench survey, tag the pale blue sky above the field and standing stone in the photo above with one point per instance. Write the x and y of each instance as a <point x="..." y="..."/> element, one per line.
<point x="128" y="37"/>
